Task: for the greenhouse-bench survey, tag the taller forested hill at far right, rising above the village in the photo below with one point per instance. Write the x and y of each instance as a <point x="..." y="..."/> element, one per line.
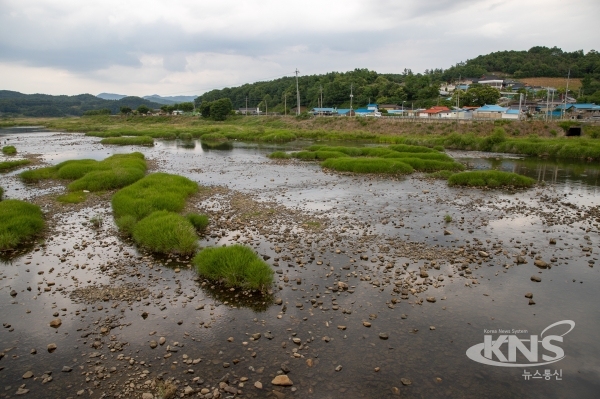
<point x="535" y="62"/>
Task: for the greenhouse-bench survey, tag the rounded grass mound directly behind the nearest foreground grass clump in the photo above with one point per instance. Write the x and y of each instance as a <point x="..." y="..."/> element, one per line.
<point x="166" y="232"/>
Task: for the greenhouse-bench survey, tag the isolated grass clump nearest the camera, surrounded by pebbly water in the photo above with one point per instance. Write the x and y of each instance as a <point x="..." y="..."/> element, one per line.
<point x="234" y="266"/>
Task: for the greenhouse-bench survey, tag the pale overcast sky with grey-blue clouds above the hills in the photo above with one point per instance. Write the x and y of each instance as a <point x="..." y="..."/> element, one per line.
<point x="186" y="47"/>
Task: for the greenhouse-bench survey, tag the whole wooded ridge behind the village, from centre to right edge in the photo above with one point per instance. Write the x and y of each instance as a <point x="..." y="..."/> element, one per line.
<point x="413" y="89"/>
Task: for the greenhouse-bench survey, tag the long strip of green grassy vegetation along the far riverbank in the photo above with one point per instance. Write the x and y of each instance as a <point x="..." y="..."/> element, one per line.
<point x="536" y="138"/>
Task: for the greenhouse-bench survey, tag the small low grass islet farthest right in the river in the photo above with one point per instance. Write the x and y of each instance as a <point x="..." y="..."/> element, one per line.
<point x="490" y="178"/>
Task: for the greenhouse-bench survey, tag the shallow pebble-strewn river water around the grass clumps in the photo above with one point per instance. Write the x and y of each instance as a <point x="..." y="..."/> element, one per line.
<point x="413" y="347"/>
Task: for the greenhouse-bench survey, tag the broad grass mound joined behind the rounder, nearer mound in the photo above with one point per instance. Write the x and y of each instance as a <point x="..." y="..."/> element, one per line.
<point x="155" y="192"/>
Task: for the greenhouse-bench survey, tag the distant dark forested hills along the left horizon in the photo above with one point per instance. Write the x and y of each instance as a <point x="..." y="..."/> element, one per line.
<point x="13" y="103"/>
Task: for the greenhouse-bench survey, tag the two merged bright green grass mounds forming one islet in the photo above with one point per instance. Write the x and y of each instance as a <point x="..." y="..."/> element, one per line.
<point x="148" y="211"/>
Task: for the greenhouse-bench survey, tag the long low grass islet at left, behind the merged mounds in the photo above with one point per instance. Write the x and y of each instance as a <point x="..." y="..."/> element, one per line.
<point x="116" y="171"/>
